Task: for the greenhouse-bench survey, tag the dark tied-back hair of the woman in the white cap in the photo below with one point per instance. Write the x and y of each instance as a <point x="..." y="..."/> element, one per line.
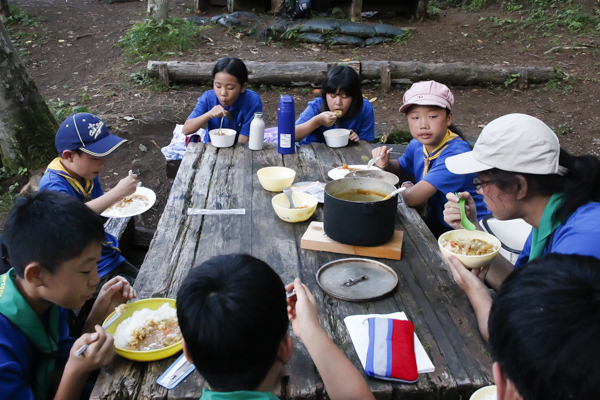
<point x="579" y="186"/>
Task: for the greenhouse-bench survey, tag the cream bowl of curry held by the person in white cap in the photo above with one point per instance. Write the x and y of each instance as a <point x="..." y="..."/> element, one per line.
<point x="475" y="249"/>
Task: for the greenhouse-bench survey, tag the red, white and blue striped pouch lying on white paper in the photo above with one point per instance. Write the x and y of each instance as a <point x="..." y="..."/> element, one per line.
<point x="391" y="351"/>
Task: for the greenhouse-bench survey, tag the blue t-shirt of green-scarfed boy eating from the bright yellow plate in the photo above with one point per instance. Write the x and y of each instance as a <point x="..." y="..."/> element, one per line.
<point x="18" y="357"/>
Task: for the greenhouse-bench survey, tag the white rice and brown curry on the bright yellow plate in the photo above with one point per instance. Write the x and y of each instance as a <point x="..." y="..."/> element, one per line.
<point x="149" y="330"/>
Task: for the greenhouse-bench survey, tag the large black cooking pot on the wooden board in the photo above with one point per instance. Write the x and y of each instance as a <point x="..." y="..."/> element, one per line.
<point x="359" y="223"/>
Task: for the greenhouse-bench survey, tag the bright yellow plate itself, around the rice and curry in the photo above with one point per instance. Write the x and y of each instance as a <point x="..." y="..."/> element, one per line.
<point x="135" y="355"/>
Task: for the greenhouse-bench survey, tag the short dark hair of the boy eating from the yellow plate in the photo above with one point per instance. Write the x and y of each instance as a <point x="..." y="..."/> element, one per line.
<point x="49" y="228"/>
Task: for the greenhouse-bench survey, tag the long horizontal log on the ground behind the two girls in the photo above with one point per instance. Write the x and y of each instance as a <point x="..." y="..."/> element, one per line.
<point x="296" y="73"/>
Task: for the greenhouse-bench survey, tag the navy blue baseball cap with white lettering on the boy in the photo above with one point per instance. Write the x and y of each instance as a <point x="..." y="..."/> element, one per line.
<point x="87" y="133"/>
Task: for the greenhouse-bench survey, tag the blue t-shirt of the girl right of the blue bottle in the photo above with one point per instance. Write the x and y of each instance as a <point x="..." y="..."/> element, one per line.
<point x="363" y="124"/>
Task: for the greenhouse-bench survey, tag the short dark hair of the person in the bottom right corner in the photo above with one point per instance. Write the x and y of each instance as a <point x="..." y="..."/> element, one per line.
<point x="544" y="328"/>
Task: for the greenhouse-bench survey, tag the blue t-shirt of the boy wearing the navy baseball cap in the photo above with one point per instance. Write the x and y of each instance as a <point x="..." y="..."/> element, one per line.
<point x="111" y="257"/>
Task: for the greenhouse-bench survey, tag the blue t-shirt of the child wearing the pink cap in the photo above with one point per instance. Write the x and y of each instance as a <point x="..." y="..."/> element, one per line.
<point x="413" y="163"/>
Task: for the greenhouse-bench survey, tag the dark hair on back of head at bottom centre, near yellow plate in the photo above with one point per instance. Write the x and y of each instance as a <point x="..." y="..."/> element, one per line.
<point x="232" y="311"/>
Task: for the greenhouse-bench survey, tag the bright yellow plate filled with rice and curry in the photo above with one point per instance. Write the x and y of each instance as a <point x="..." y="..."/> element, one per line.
<point x="147" y="330"/>
